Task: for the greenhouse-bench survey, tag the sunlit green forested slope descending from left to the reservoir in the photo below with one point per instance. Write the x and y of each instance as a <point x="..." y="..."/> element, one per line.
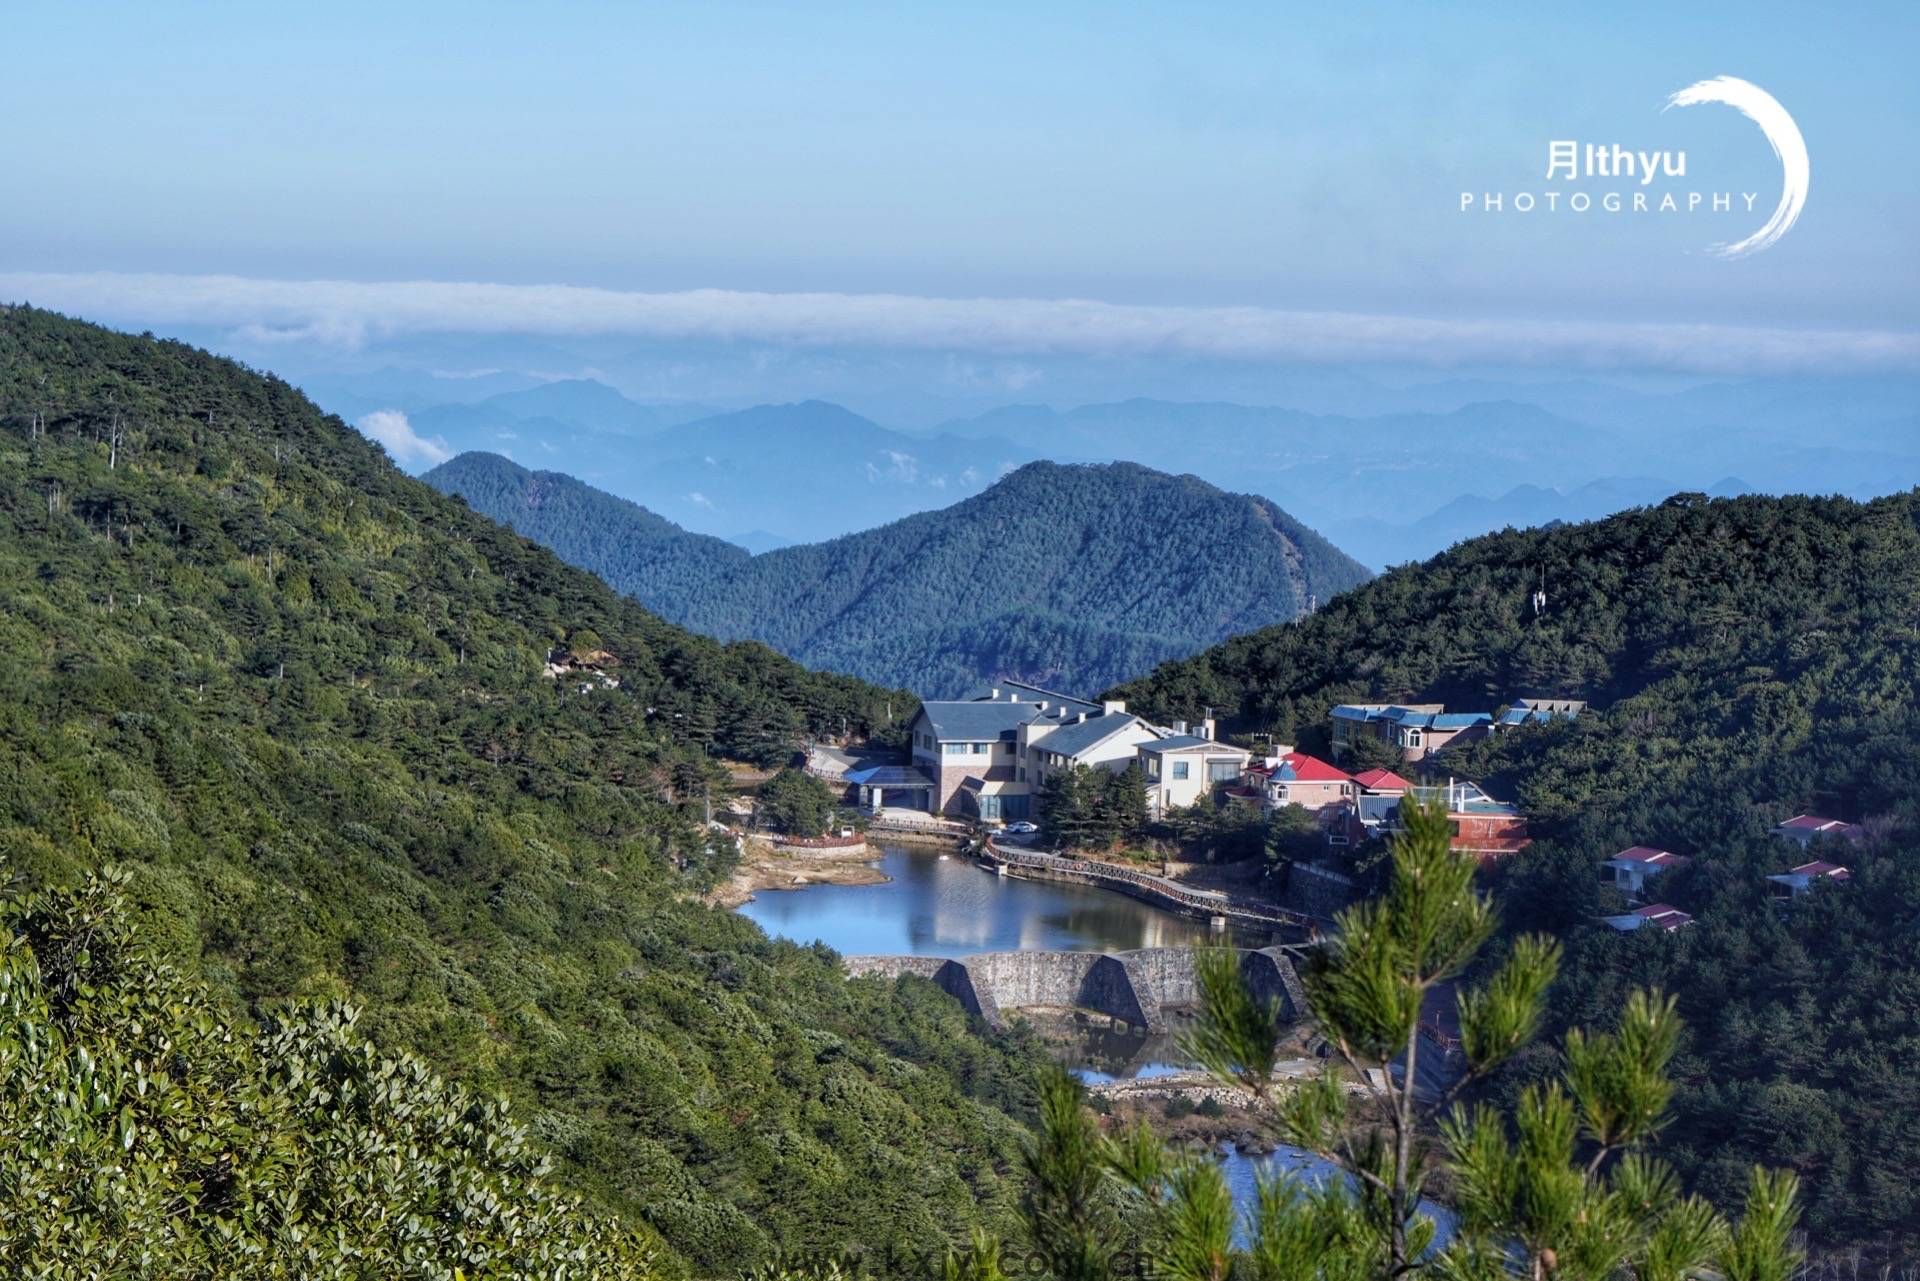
<point x="300" y="700"/>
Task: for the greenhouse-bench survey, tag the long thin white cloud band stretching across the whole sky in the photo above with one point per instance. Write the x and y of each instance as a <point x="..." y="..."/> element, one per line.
<point x="347" y="312"/>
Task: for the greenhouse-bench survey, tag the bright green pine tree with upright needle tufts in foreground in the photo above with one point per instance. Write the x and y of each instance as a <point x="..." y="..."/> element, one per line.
<point x="1560" y="1192"/>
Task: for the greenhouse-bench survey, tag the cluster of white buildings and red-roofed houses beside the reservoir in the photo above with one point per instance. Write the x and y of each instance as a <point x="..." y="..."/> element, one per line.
<point x="997" y="761"/>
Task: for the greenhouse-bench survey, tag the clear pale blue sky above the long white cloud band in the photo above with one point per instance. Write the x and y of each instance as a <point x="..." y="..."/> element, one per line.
<point x="1168" y="157"/>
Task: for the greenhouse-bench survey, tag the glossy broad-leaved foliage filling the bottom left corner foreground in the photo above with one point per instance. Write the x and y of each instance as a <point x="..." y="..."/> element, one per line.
<point x="149" y="1134"/>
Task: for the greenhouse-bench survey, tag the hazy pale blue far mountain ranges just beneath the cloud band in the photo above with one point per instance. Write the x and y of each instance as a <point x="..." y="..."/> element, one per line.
<point x="1389" y="487"/>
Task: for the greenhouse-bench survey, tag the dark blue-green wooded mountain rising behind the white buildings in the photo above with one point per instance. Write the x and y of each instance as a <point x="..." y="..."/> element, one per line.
<point x="1078" y="575"/>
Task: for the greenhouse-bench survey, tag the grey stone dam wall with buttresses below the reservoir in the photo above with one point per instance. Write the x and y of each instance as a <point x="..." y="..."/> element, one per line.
<point x="1138" y="988"/>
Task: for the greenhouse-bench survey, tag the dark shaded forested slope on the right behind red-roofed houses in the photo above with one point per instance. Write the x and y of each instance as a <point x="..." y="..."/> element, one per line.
<point x="1750" y="660"/>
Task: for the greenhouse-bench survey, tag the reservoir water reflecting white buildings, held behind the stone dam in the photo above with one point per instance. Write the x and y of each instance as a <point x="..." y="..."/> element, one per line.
<point x="951" y="907"/>
